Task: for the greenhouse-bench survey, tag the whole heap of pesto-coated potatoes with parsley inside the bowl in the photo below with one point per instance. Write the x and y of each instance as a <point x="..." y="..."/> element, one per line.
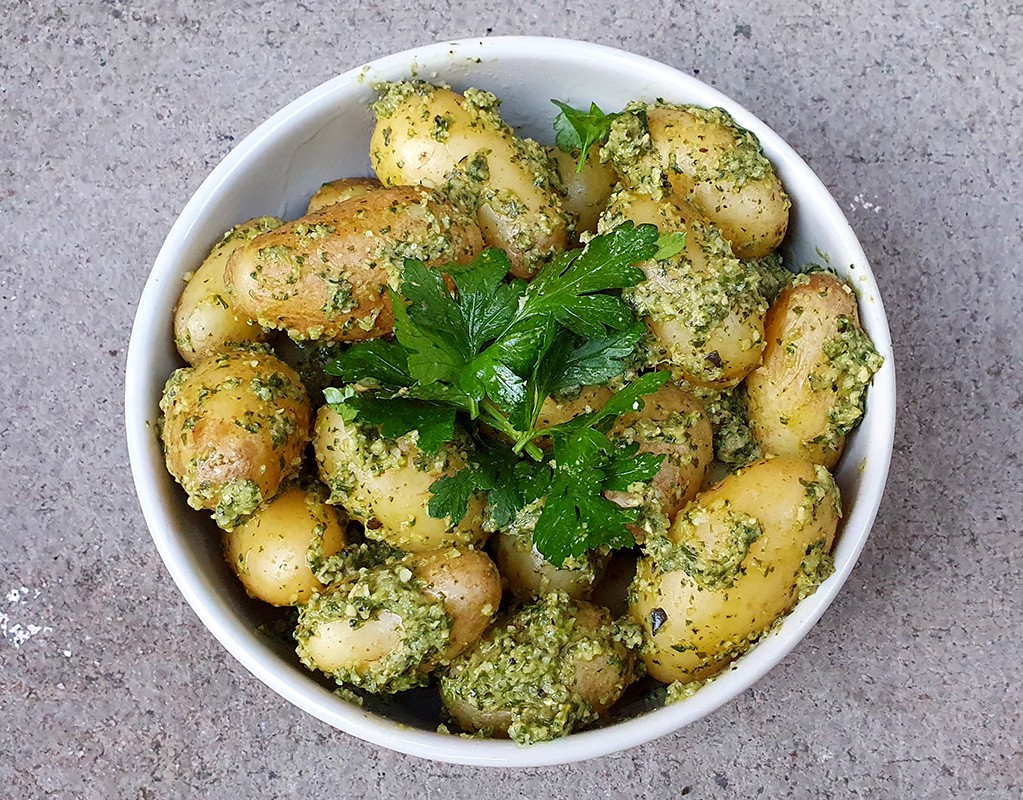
<point x="541" y="427"/>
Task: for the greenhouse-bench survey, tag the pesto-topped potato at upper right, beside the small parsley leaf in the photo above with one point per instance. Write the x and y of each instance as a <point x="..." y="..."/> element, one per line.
<point x="702" y="157"/>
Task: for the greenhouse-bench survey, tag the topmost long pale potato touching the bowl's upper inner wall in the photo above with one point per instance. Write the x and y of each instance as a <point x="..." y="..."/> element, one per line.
<point x="459" y="145"/>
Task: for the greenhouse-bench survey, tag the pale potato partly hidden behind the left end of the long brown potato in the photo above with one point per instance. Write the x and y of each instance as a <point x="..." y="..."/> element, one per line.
<point x="206" y="321"/>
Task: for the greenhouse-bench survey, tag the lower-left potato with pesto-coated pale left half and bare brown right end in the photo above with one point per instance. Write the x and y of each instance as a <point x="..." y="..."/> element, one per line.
<point x="384" y="628"/>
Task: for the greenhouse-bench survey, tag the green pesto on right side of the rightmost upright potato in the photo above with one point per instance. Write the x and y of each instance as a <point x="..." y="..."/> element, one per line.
<point x="852" y="364"/>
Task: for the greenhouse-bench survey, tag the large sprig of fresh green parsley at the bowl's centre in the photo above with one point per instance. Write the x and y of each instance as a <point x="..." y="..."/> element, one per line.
<point x="495" y="350"/>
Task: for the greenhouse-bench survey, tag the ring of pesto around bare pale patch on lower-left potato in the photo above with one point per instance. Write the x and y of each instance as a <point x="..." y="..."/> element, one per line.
<point x="390" y="586"/>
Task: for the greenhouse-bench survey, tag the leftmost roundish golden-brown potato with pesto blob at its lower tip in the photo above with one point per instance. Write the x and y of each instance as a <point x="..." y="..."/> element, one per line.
<point x="234" y="430"/>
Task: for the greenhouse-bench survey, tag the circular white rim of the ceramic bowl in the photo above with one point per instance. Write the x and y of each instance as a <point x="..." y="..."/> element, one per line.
<point x="380" y="731"/>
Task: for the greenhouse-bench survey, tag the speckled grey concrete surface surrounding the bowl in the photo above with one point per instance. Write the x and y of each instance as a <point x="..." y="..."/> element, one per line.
<point x="111" y="115"/>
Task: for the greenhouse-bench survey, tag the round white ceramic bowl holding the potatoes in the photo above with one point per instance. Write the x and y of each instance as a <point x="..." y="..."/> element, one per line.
<point x="325" y="135"/>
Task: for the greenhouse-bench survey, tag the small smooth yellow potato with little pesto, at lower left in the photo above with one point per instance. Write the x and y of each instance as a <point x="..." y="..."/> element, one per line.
<point x="275" y="552"/>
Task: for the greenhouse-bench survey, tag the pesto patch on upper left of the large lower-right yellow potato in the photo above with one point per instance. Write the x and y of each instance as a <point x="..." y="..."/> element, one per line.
<point x="711" y="568"/>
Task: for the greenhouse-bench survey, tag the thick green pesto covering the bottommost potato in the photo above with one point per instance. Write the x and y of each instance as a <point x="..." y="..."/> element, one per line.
<point x="525" y="666"/>
